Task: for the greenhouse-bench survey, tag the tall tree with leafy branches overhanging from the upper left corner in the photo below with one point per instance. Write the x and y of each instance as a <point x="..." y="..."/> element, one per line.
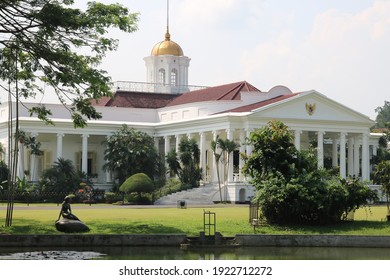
<point x="49" y="42"/>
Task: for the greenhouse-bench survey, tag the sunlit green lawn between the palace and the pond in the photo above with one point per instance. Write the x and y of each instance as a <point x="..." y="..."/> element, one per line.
<point x="230" y="220"/>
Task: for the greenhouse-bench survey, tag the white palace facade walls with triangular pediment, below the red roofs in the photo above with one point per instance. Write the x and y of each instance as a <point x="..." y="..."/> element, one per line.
<point x="330" y="118"/>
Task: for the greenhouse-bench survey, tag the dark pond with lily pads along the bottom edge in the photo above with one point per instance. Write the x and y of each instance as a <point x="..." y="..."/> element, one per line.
<point x="174" y="253"/>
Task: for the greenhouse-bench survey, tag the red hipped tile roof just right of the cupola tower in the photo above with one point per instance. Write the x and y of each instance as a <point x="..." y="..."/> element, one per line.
<point x="223" y="92"/>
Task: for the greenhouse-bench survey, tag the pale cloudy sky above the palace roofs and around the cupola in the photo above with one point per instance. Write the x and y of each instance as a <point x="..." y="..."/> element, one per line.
<point x="339" y="48"/>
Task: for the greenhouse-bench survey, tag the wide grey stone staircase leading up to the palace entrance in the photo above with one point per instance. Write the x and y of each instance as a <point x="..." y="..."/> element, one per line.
<point x="204" y="195"/>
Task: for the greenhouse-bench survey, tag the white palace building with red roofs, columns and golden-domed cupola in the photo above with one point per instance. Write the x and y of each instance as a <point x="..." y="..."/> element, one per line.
<point x="168" y="109"/>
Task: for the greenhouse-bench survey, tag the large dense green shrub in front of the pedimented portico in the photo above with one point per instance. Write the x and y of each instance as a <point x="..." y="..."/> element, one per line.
<point x="290" y="187"/>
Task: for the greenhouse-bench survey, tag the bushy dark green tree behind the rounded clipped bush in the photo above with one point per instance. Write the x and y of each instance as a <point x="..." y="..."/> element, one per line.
<point x="130" y="151"/>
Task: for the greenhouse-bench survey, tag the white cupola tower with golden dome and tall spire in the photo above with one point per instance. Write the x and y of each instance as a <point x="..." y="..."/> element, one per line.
<point x="167" y="67"/>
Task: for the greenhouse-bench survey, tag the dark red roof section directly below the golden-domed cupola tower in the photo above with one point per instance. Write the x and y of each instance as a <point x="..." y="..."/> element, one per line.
<point x="131" y="99"/>
